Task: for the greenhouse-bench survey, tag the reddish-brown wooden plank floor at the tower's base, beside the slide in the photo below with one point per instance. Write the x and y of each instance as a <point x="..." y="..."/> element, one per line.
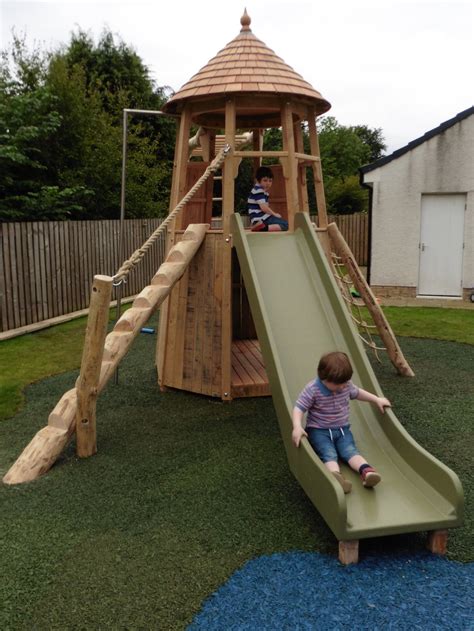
<point x="249" y="378"/>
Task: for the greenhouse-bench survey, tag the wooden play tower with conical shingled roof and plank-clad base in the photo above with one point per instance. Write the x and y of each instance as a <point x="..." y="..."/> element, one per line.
<point x="207" y="342"/>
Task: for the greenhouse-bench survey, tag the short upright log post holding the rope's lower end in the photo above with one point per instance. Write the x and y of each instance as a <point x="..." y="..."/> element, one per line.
<point x="88" y="382"/>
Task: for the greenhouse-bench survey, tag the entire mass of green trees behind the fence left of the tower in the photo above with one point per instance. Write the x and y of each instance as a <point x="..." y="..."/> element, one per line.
<point x="61" y="134"/>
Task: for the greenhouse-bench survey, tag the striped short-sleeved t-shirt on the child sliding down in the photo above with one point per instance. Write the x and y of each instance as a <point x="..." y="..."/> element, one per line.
<point x="326" y="409"/>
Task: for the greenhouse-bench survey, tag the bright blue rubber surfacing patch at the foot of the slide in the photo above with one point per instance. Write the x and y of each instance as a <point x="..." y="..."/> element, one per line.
<point x="303" y="590"/>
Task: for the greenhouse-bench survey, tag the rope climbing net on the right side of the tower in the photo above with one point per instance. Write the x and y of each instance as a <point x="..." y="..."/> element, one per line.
<point x="356" y="306"/>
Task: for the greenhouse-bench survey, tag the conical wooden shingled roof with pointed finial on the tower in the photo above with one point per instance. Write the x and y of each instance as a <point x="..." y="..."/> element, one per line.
<point x="246" y="65"/>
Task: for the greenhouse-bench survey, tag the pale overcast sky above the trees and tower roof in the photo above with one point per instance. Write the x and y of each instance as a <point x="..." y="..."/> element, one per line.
<point x="405" y="66"/>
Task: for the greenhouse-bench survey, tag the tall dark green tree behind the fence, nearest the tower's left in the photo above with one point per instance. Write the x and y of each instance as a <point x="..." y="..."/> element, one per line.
<point x="95" y="84"/>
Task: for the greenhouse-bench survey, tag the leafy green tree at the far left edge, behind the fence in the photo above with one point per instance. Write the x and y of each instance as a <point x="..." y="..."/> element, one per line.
<point x="29" y="121"/>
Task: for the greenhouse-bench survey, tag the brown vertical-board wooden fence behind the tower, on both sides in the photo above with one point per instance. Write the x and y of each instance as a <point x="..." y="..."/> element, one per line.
<point x="47" y="268"/>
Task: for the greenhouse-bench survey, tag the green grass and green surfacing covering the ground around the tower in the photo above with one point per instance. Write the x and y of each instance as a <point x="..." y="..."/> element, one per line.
<point x="185" y="489"/>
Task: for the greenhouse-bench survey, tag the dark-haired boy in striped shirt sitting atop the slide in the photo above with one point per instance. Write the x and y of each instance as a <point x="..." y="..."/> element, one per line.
<point x="262" y="217"/>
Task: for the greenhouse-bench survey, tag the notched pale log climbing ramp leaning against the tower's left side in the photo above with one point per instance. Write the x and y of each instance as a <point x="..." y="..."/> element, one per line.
<point x="45" y="447"/>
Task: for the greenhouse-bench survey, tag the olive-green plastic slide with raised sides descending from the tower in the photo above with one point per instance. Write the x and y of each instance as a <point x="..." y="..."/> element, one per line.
<point x="299" y="315"/>
